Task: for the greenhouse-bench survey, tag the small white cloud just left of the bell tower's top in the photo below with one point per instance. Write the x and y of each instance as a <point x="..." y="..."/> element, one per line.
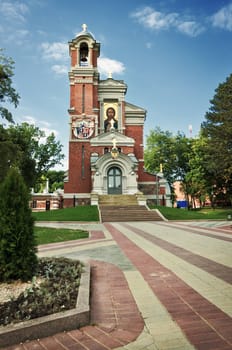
<point x="55" y="51"/>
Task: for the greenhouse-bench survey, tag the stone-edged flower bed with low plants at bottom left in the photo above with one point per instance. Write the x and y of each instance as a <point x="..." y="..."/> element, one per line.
<point x="64" y="307"/>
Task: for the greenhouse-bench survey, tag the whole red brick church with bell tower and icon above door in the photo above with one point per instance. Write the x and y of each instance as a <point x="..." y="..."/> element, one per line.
<point x="106" y="135"/>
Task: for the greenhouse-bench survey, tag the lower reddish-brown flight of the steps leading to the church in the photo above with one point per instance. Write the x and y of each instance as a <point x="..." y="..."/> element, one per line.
<point x="128" y="213"/>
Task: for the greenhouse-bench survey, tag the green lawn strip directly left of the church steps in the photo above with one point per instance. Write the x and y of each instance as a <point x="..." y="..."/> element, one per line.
<point x="79" y="213"/>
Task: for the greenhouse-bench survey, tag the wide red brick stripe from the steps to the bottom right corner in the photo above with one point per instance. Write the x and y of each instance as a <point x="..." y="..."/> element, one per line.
<point x="205" y="325"/>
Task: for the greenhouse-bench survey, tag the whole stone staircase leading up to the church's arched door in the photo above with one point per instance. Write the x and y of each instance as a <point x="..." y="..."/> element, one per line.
<point x="121" y="208"/>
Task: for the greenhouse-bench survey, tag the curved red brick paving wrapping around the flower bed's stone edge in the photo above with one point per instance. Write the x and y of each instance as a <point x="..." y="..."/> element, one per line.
<point x="115" y="318"/>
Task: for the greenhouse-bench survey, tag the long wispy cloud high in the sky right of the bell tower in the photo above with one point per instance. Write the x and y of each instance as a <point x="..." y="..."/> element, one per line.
<point x="156" y="20"/>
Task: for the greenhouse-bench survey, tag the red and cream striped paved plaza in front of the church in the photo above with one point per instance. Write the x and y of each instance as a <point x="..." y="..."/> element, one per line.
<point x="155" y="286"/>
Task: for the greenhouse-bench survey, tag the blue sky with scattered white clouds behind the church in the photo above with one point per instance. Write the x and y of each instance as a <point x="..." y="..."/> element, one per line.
<point x="172" y="54"/>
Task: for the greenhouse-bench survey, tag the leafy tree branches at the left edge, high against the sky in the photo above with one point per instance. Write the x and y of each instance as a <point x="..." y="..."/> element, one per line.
<point x="7" y="92"/>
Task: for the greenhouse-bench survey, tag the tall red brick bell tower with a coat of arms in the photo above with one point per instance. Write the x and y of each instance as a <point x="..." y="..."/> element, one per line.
<point x="83" y="110"/>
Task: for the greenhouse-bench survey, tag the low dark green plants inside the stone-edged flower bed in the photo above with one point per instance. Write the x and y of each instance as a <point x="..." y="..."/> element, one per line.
<point x="57" y="292"/>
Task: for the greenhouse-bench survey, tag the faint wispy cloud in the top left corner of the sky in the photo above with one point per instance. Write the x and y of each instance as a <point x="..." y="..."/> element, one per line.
<point x="13" y="11"/>
